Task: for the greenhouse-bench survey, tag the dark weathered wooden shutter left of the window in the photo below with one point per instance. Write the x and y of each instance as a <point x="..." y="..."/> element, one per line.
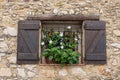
<point x="28" y="42"/>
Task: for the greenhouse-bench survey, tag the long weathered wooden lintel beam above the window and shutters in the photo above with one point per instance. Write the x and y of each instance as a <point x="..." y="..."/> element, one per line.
<point x="63" y="17"/>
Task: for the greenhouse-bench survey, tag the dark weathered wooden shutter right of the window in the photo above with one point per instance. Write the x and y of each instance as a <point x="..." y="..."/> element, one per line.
<point x="95" y="42"/>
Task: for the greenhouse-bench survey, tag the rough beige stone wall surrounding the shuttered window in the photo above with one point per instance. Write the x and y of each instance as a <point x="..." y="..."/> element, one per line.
<point x="14" y="10"/>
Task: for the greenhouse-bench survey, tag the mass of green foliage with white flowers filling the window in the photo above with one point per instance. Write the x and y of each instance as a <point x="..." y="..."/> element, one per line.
<point x="60" y="47"/>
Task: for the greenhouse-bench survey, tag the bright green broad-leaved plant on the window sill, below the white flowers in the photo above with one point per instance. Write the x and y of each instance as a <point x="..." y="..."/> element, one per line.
<point x="64" y="56"/>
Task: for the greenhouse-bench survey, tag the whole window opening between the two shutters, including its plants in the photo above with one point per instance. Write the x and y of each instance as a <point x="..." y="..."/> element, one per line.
<point x="61" y="37"/>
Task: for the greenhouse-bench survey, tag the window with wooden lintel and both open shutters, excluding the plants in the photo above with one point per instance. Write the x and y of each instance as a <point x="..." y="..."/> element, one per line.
<point x="92" y="39"/>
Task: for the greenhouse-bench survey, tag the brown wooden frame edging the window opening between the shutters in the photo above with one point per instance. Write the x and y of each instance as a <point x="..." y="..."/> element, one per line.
<point x="77" y="23"/>
